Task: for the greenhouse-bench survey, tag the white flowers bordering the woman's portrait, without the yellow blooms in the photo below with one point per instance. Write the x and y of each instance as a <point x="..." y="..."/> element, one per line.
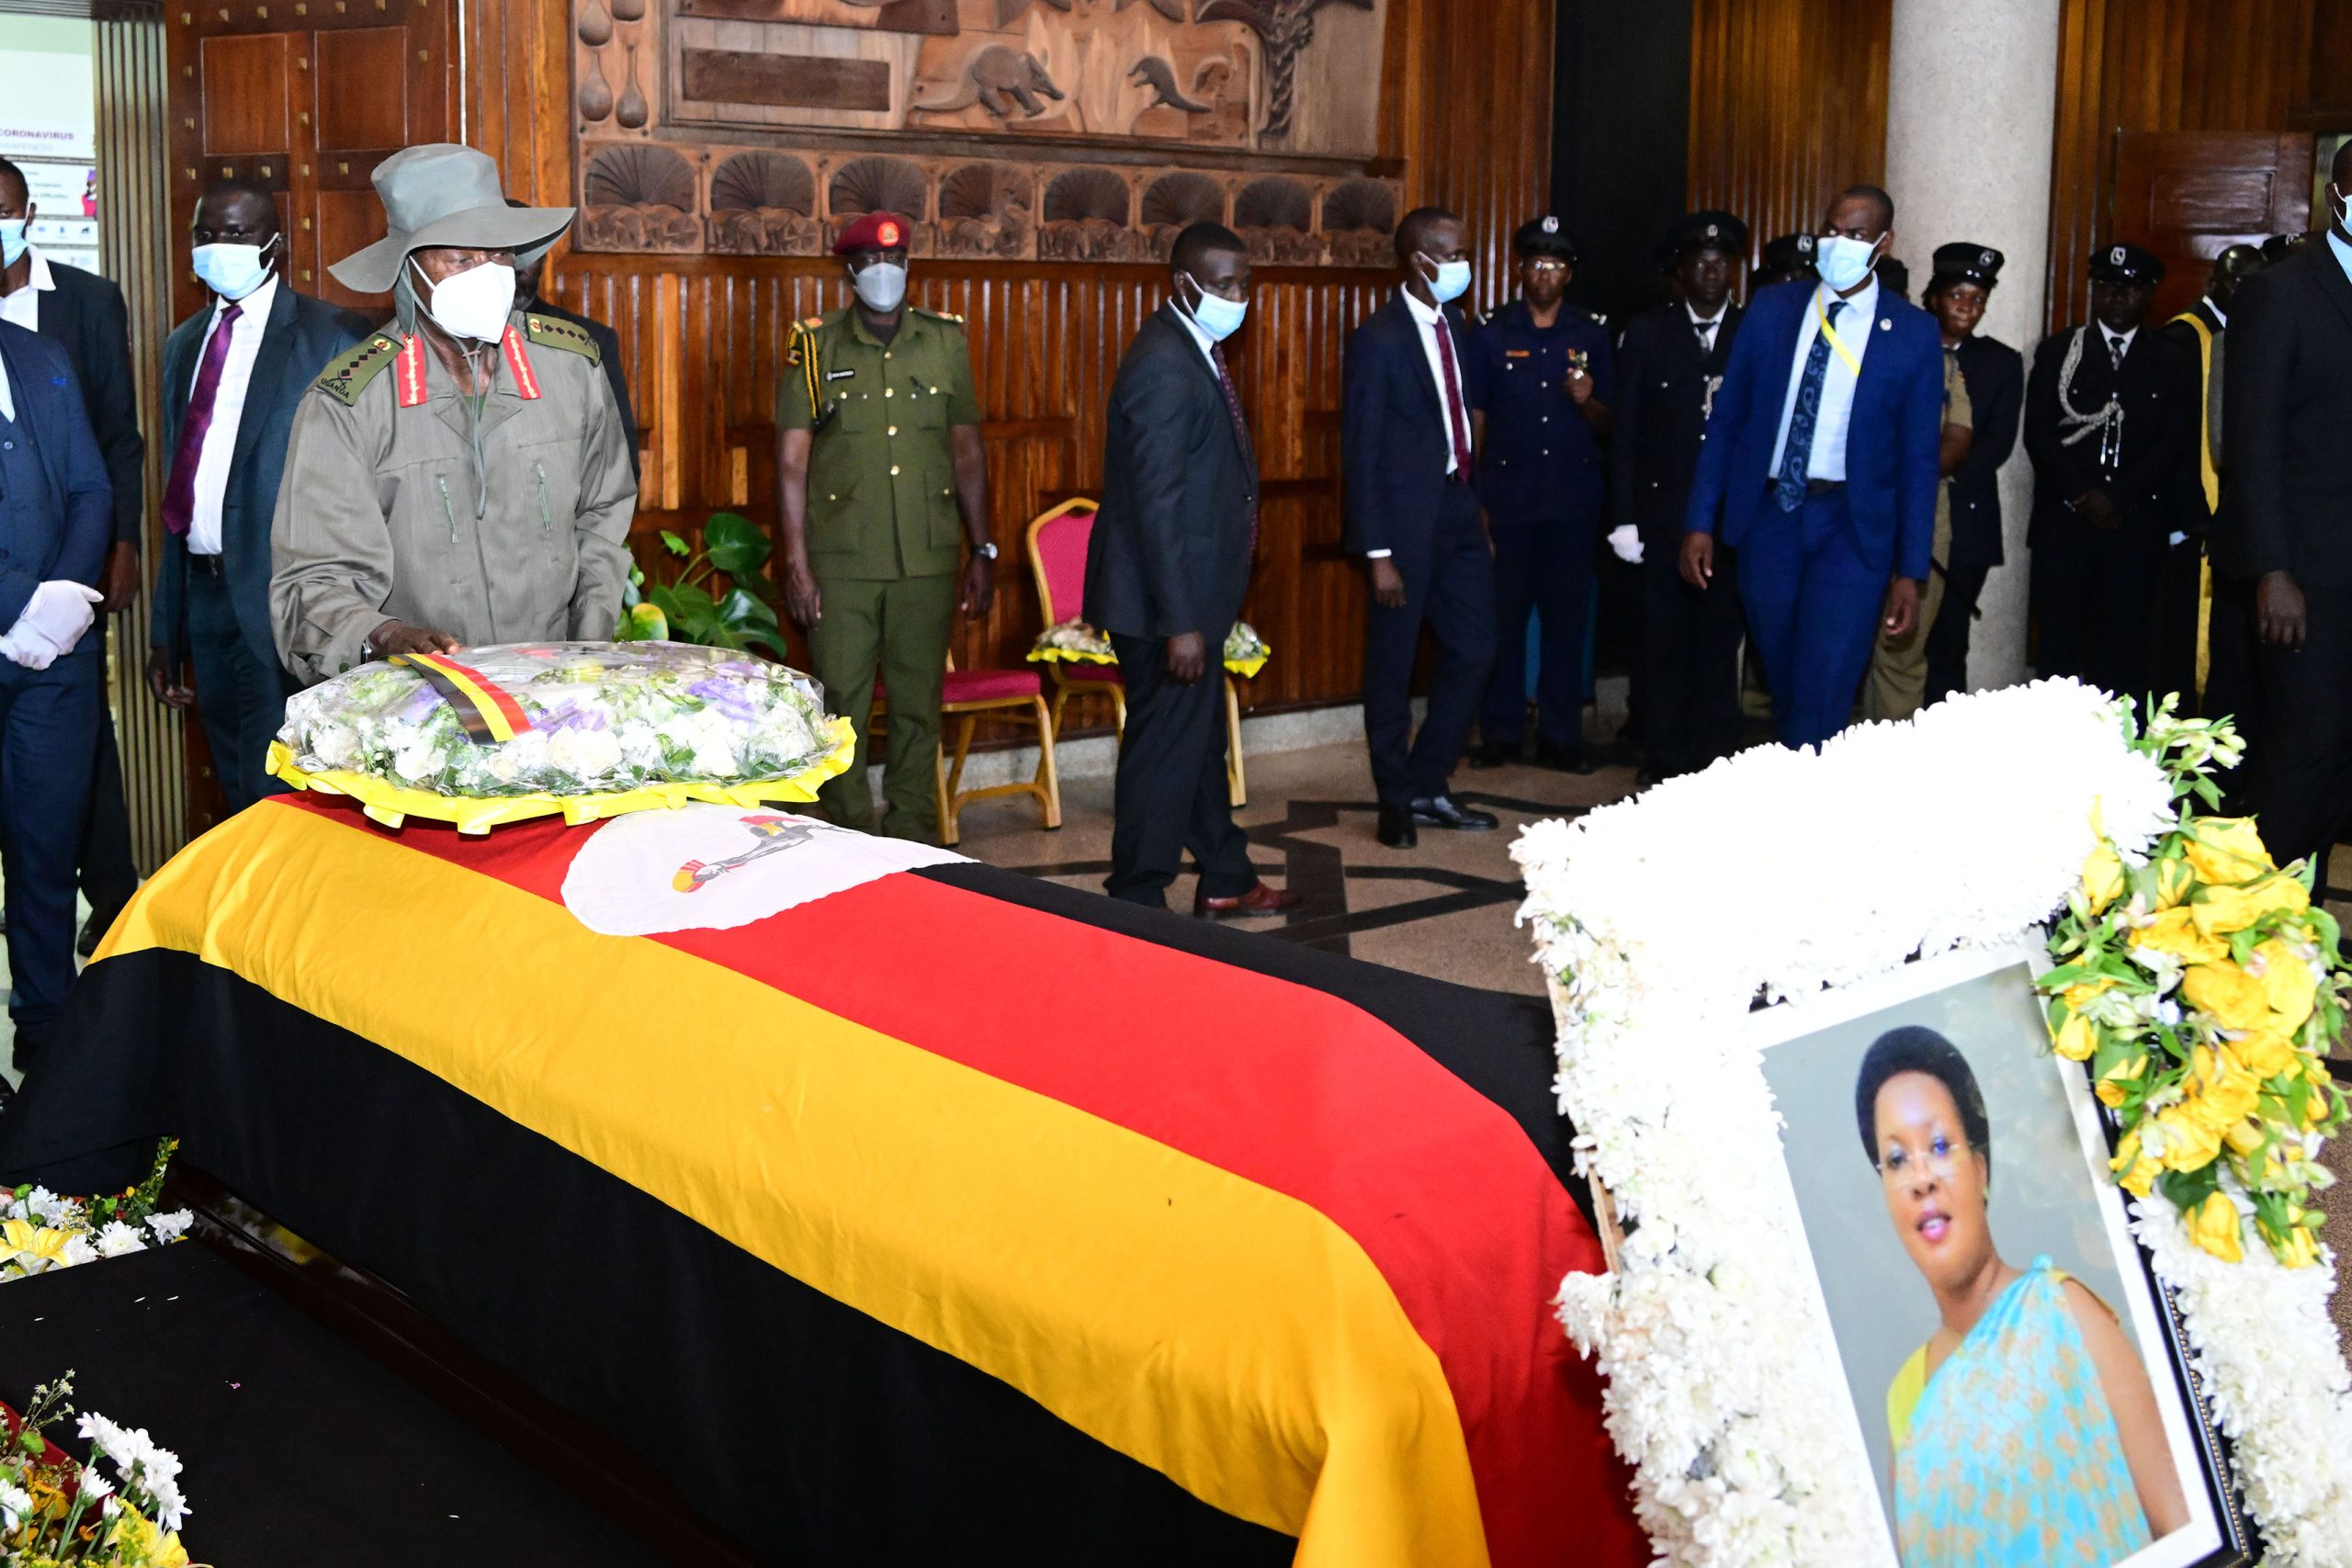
<point x="1833" y="871"/>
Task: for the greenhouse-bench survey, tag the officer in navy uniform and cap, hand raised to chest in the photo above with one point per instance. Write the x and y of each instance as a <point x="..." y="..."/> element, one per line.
<point x="1539" y="389"/>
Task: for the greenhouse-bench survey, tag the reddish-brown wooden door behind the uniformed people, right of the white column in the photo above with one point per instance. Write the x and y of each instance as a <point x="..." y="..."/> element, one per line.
<point x="2191" y="194"/>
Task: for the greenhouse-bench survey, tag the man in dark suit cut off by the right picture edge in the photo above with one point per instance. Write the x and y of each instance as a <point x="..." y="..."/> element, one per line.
<point x="2287" y="523"/>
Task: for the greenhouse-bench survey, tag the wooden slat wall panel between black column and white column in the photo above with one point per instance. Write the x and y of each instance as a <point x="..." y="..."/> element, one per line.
<point x="1789" y="107"/>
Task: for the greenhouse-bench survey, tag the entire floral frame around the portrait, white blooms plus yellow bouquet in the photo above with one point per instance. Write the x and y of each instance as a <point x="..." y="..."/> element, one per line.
<point x="2193" y="977"/>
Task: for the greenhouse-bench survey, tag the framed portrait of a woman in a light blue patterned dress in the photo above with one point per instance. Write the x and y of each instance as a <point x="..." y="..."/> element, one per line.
<point x="2019" y="1381"/>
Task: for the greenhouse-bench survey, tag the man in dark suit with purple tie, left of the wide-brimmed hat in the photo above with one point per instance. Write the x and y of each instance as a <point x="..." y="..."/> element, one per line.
<point x="232" y="380"/>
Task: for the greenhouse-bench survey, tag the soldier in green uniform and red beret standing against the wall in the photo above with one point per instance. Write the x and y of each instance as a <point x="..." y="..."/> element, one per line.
<point x="883" y="483"/>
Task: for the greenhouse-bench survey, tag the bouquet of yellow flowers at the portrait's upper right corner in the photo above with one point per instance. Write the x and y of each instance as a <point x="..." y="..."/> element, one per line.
<point x="2203" y="991"/>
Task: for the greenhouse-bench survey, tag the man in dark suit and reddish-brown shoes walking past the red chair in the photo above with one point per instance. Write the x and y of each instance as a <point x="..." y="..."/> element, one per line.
<point x="1165" y="579"/>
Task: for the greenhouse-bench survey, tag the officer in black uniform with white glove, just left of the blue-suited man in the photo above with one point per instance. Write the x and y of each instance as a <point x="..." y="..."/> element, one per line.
<point x="1669" y="370"/>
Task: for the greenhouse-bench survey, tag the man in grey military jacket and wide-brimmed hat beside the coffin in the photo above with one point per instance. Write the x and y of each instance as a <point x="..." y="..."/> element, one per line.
<point x="462" y="478"/>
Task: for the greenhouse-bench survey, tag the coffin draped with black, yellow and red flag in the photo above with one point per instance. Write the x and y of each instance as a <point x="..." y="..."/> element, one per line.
<point x="900" y="1207"/>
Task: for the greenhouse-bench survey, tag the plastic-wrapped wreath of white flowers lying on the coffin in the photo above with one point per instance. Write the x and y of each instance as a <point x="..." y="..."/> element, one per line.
<point x="596" y="718"/>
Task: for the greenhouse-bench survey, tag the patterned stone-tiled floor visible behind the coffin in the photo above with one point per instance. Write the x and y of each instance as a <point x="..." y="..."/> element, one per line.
<point x="1443" y="909"/>
